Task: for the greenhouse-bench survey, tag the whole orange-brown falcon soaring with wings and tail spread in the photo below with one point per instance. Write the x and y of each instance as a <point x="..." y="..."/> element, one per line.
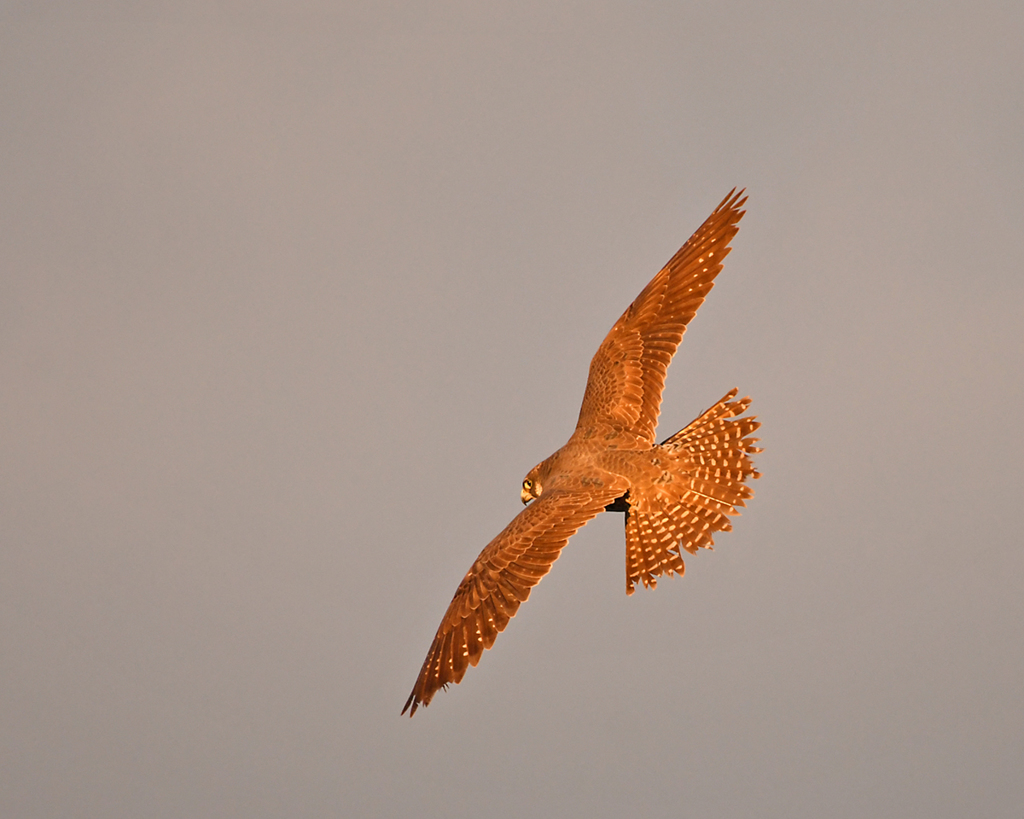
<point x="675" y="495"/>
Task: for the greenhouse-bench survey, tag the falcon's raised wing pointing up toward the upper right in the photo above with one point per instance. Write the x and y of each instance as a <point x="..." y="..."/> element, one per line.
<point x="627" y="374"/>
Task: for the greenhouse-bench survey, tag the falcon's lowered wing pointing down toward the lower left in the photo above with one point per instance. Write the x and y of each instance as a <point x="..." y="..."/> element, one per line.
<point x="500" y="580"/>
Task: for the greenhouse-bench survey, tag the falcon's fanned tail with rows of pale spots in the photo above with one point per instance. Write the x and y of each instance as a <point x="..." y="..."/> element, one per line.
<point x="713" y="454"/>
